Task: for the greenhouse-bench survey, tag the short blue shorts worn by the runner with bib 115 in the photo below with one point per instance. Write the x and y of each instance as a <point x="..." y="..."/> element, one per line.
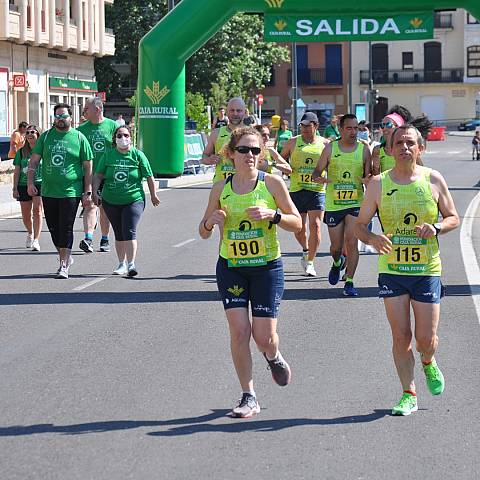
<point x="422" y="288"/>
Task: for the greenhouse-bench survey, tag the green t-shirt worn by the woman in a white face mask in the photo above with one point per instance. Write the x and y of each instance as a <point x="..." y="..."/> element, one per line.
<point x="123" y="174"/>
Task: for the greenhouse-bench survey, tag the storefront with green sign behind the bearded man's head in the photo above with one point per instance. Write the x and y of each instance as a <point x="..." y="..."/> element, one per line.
<point x="72" y="92"/>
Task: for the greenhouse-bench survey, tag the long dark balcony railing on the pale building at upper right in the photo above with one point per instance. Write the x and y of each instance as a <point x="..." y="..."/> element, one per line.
<point x="446" y="75"/>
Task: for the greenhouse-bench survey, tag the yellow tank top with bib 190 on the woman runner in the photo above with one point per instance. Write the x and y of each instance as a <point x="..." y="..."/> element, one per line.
<point x="245" y="242"/>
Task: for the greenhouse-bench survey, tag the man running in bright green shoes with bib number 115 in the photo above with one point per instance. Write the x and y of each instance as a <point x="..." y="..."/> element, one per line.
<point x="408" y="199"/>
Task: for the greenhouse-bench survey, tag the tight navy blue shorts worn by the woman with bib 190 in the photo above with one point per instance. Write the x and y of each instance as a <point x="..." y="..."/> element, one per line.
<point x="262" y="286"/>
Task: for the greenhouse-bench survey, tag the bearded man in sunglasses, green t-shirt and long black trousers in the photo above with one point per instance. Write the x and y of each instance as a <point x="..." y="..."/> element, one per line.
<point x="66" y="178"/>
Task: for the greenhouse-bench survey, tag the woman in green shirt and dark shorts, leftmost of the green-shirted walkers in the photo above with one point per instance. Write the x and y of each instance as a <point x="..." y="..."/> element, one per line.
<point x="31" y="206"/>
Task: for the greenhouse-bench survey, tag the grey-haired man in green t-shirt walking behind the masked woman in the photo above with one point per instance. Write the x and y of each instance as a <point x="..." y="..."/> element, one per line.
<point x="99" y="132"/>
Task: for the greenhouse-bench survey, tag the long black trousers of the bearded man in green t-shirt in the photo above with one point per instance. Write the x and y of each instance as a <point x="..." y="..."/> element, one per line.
<point x="60" y="216"/>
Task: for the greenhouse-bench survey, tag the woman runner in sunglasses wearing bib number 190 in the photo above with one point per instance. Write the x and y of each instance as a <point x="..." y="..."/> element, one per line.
<point x="249" y="269"/>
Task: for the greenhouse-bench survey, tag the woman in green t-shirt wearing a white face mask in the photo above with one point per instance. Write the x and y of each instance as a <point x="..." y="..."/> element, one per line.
<point x="123" y="168"/>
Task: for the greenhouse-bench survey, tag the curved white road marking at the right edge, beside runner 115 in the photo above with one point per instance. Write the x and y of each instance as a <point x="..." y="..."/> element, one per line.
<point x="468" y="253"/>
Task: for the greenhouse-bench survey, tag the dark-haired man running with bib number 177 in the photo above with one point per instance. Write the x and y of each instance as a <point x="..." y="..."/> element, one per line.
<point x="348" y="163"/>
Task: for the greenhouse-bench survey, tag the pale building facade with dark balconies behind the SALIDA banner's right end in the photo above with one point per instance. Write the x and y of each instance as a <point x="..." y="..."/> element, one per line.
<point x="439" y="77"/>
